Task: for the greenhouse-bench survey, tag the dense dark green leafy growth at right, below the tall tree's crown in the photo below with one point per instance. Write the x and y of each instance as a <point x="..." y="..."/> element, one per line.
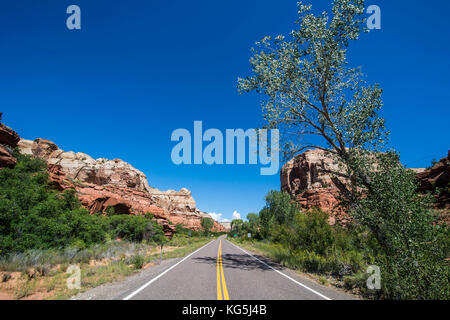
<point x="415" y="248"/>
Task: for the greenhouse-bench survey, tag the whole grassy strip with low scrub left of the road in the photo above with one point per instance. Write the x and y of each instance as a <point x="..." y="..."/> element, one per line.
<point x="101" y="264"/>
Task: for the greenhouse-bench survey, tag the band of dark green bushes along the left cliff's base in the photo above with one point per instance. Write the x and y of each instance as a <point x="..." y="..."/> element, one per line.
<point x="33" y="216"/>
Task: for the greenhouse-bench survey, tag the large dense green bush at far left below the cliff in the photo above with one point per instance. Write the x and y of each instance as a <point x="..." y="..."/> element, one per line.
<point x="34" y="216"/>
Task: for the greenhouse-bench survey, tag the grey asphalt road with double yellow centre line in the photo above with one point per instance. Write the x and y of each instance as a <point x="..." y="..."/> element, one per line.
<point x="219" y="270"/>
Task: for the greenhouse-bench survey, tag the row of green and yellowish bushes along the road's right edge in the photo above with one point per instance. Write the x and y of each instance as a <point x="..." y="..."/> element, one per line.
<point x="340" y="255"/>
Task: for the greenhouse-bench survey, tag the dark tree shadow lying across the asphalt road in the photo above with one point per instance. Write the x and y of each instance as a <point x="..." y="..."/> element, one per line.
<point x="236" y="261"/>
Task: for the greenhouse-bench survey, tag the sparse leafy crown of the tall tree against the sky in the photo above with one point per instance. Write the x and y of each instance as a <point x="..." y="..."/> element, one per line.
<point x="311" y="92"/>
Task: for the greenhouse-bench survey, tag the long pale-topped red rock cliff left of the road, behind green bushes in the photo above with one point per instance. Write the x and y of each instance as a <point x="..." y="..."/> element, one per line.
<point x="102" y="183"/>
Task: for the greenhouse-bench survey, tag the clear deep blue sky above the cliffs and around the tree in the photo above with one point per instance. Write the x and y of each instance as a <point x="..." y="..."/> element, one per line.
<point x="140" y="69"/>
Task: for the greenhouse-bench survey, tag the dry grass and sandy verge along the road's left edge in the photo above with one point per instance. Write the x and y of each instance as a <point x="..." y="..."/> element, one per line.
<point x="28" y="283"/>
